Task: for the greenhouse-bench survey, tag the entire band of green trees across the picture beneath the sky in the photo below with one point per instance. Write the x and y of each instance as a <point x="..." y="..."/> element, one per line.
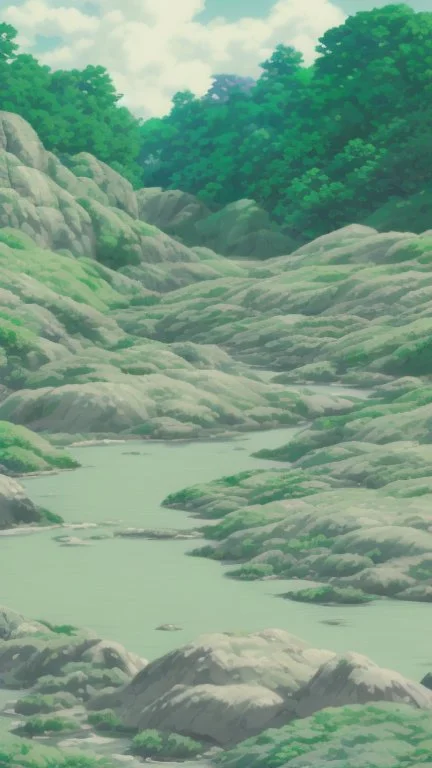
<point x="317" y="146"/>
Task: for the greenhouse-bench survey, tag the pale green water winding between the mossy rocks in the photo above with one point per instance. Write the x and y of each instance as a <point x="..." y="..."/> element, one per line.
<point x="124" y="589"/>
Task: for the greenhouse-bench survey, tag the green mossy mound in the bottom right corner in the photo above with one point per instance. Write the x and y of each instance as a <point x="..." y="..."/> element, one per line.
<point x="377" y="736"/>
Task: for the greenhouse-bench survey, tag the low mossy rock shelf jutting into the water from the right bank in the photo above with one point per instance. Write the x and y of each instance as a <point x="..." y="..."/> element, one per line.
<point x="361" y="539"/>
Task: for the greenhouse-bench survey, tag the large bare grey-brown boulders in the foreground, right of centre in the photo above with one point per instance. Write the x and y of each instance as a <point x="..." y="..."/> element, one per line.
<point x="226" y="688"/>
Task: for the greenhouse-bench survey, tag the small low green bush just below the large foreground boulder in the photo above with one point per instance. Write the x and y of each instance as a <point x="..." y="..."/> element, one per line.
<point x="165" y="746"/>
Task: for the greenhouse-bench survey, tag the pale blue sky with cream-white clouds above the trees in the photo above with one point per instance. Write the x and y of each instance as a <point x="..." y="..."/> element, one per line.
<point x="154" y="48"/>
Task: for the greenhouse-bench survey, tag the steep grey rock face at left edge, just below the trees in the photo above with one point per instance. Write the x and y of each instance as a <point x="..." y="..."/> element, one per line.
<point x="87" y="209"/>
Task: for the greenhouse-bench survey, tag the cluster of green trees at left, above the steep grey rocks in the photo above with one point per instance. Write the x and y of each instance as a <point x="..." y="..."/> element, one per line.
<point x="71" y="110"/>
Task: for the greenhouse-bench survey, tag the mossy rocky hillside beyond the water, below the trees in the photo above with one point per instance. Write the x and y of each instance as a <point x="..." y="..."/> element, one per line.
<point x="161" y="346"/>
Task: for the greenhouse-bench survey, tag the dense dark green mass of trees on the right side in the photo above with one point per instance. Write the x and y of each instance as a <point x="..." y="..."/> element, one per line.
<point x="318" y="147"/>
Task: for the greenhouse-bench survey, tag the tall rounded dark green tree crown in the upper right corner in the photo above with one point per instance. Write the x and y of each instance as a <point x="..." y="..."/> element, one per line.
<point x="378" y="64"/>
